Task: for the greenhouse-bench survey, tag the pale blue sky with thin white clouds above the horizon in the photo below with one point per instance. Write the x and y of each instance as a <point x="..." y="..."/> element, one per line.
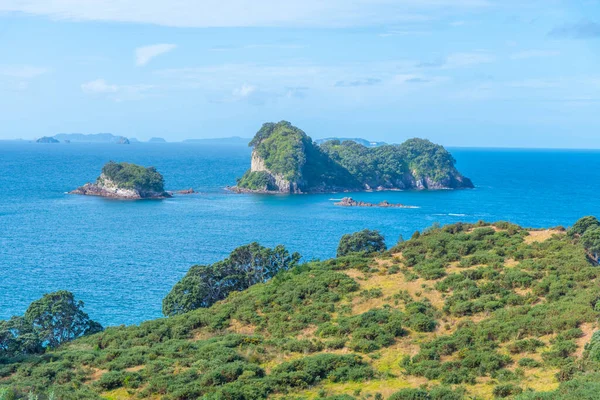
<point x="476" y="73"/>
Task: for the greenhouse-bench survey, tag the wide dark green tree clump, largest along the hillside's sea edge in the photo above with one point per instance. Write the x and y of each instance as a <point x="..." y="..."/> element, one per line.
<point x="247" y="265"/>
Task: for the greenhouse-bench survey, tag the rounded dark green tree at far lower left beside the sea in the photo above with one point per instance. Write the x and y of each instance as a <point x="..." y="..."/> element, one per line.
<point x="57" y="318"/>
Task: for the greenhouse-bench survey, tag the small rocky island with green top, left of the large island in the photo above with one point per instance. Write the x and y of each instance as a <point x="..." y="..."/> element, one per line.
<point x="126" y="181"/>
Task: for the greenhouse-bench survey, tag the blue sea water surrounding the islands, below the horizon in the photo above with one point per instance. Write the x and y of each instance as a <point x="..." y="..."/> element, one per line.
<point x="122" y="257"/>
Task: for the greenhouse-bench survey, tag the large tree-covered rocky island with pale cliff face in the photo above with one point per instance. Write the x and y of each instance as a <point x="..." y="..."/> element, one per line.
<point x="286" y="160"/>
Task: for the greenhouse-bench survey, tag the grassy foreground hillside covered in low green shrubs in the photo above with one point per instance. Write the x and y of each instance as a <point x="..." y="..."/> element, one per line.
<point x="464" y="311"/>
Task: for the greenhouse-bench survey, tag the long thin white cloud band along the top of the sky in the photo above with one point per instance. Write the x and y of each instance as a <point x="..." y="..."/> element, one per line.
<point x="242" y="13"/>
